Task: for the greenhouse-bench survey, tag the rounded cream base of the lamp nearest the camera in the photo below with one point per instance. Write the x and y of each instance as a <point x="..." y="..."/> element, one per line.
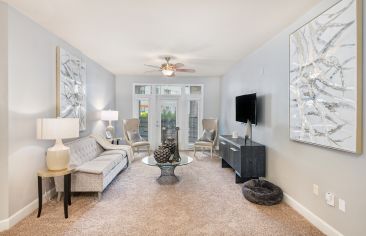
<point x="58" y="157"/>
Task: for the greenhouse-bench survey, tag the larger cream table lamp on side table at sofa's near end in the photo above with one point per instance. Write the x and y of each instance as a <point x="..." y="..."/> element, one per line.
<point x="58" y="156"/>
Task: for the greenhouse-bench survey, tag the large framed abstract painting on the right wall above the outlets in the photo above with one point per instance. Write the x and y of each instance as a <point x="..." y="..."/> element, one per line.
<point x="326" y="79"/>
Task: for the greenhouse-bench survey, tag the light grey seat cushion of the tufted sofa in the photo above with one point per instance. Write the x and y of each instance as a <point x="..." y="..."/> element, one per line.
<point x="101" y="165"/>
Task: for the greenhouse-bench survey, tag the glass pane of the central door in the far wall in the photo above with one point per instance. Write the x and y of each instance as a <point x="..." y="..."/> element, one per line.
<point x="168" y="120"/>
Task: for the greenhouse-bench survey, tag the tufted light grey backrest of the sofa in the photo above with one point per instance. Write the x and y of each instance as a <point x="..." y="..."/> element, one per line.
<point x="83" y="150"/>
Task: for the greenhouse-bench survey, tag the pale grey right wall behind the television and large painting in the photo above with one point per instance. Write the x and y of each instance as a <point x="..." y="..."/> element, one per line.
<point x="295" y="166"/>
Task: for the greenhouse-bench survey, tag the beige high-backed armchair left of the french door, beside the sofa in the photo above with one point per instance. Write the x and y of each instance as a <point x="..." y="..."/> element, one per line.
<point x="132" y="125"/>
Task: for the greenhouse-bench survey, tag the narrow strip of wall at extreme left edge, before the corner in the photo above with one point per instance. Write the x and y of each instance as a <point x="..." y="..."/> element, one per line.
<point x="4" y="188"/>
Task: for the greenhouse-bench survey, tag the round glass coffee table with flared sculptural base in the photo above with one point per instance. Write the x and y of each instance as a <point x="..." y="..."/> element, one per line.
<point x="167" y="175"/>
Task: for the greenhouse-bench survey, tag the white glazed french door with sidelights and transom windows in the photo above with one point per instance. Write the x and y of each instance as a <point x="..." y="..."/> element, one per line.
<point x="160" y="111"/>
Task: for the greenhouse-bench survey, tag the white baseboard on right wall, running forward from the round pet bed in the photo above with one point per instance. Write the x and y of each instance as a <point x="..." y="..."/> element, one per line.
<point x="310" y="216"/>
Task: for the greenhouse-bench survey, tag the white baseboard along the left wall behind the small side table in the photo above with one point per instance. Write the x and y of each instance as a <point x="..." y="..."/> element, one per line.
<point x="24" y="212"/>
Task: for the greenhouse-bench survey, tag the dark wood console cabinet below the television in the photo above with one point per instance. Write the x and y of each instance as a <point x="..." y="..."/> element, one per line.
<point x="247" y="158"/>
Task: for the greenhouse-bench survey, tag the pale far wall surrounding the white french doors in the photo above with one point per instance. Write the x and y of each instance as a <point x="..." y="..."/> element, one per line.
<point x="124" y="84"/>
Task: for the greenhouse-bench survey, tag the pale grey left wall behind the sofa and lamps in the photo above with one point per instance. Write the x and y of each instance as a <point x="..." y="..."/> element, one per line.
<point x="32" y="95"/>
